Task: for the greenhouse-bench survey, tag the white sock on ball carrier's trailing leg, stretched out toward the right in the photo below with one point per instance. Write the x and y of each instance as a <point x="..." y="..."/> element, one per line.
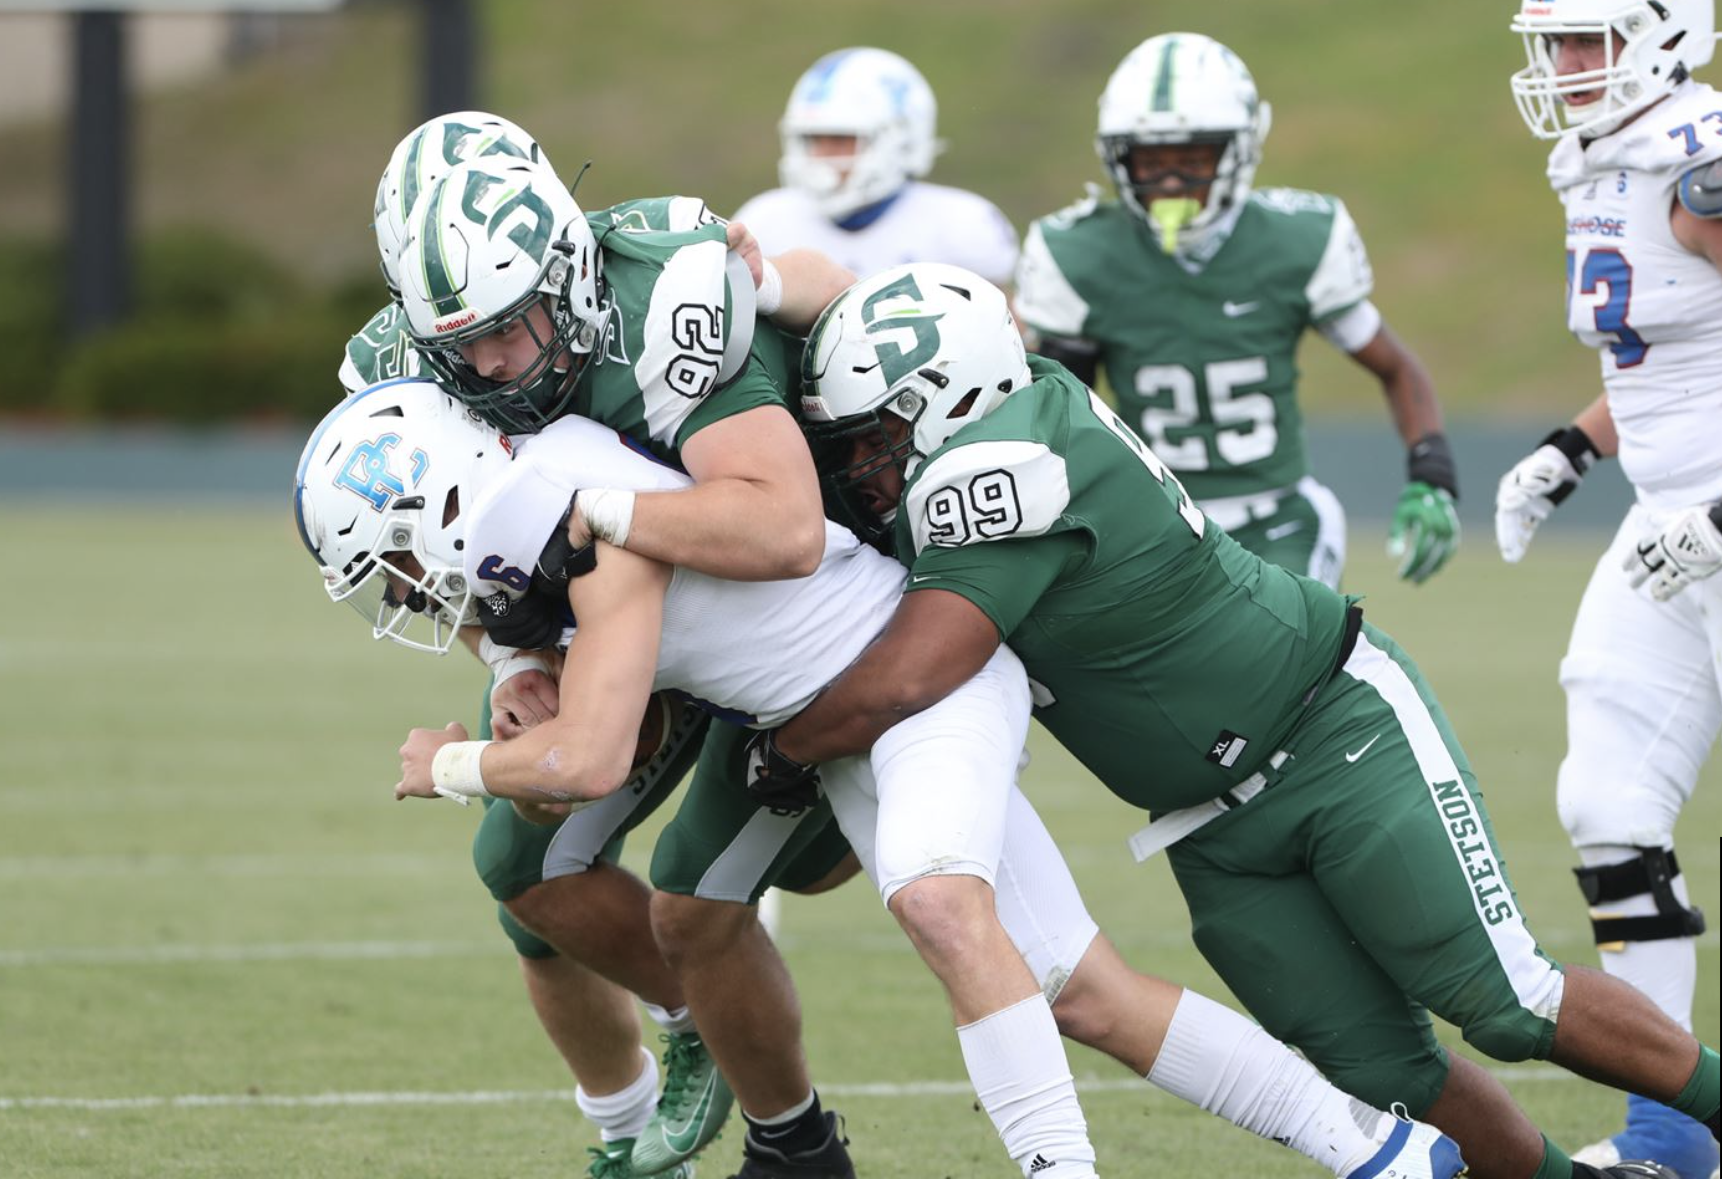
<point x="1229" y="1067"/>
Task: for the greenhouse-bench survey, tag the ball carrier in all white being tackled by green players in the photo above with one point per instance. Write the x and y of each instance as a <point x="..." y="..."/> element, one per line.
<point x="762" y="650"/>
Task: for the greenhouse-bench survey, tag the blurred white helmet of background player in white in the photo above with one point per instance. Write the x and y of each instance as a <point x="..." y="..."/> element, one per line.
<point x="876" y="97"/>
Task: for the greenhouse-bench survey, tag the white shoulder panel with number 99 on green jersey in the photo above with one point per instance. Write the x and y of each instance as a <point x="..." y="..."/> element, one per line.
<point x="991" y="490"/>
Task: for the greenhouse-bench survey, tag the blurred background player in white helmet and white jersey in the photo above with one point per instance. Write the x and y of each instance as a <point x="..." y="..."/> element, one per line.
<point x="860" y="135"/>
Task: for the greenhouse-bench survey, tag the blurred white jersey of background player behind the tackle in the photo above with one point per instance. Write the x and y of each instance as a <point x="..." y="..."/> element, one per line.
<point x="927" y="223"/>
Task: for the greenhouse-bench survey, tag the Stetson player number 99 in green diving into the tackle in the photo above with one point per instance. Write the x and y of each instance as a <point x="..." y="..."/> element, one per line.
<point x="1322" y="819"/>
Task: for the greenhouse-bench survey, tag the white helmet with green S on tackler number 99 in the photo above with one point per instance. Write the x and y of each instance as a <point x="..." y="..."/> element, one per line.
<point x="929" y="344"/>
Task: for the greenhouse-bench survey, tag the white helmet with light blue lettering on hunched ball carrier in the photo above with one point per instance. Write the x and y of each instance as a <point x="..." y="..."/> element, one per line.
<point x="380" y="499"/>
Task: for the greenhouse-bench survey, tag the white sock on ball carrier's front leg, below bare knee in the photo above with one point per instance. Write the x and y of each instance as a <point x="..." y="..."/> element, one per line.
<point x="1024" y="1081"/>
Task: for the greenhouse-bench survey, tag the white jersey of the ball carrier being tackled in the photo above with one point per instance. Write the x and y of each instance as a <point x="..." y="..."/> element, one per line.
<point x="757" y="652"/>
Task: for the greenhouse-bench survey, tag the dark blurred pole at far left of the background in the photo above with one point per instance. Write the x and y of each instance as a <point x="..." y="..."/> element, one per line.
<point x="99" y="232"/>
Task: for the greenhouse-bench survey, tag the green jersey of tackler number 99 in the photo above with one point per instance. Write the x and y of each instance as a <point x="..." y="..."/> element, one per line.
<point x="1168" y="659"/>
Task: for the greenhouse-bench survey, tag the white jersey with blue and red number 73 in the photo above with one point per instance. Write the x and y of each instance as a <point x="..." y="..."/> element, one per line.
<point x="1649" y="306"/>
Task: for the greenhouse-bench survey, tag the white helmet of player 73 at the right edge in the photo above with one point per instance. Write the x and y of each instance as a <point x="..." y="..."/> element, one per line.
<point x="1651" y="47"/>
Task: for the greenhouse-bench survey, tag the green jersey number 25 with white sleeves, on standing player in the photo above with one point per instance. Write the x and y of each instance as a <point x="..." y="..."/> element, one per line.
<point x="1203" y="361"/>
